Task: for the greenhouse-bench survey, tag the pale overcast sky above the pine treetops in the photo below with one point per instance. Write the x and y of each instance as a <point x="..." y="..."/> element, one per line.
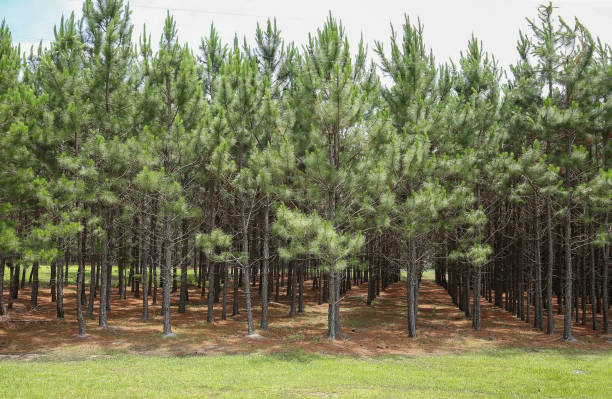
<point x="448" y="24"/>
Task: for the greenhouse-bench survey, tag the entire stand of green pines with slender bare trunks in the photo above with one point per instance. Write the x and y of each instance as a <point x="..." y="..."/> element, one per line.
<point x="269" y="164"/>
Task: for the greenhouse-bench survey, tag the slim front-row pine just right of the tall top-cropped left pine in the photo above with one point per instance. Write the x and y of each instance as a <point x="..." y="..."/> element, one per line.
<point x="173" y="89"/>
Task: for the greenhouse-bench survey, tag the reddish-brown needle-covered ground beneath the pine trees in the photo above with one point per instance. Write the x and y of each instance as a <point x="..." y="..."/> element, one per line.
<point x="366" y="330"/>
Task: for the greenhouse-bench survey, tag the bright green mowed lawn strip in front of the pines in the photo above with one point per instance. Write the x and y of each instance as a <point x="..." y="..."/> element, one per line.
<point x="500" y="374"/>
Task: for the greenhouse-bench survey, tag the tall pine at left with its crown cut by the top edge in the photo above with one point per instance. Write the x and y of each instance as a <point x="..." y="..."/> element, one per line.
<point x="106" y="33"/>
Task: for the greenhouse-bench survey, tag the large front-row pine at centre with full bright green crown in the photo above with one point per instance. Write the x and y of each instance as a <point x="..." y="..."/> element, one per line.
<point x="340" y="90"/>
